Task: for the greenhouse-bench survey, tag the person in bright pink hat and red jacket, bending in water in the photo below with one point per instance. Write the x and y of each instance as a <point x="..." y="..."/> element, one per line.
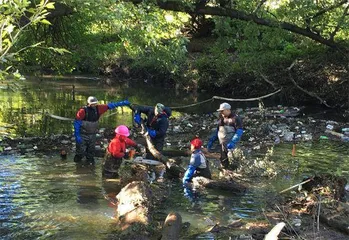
<point x="116" y="151"/>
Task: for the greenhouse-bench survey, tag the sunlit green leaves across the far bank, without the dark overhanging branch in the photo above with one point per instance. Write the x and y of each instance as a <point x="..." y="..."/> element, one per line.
<point x="101" y="34"/>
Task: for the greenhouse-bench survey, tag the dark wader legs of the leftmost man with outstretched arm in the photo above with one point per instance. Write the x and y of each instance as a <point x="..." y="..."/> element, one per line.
<point x="86" y="148"/>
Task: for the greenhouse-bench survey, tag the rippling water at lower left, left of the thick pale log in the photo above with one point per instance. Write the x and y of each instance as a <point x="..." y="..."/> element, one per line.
<point x="51" y="199"/>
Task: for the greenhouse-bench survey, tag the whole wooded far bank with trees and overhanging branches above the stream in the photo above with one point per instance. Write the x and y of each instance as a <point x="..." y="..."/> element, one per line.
<point x="235" y="48"/>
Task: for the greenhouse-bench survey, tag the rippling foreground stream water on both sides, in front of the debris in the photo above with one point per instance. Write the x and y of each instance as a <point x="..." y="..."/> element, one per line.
<point x="47" y="198"/>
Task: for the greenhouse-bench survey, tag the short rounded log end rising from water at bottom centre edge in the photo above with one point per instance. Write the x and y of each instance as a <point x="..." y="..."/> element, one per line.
<point x="172" y="227"/>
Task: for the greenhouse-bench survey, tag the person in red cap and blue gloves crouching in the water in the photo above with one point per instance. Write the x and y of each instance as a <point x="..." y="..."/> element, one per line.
<point x="198" y="165"/>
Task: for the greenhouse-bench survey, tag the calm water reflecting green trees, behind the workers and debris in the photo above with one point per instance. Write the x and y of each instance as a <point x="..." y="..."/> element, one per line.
<point x="23" y="111"/>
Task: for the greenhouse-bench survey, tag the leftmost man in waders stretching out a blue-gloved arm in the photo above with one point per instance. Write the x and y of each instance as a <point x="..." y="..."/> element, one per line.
<point x="86" y="127"/>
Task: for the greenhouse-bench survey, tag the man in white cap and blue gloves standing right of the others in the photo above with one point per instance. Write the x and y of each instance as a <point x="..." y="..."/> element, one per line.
<point x="228" y="132"/>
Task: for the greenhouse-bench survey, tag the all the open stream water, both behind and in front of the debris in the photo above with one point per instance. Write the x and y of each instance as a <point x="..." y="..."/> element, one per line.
<point x="47" y="198"/>
